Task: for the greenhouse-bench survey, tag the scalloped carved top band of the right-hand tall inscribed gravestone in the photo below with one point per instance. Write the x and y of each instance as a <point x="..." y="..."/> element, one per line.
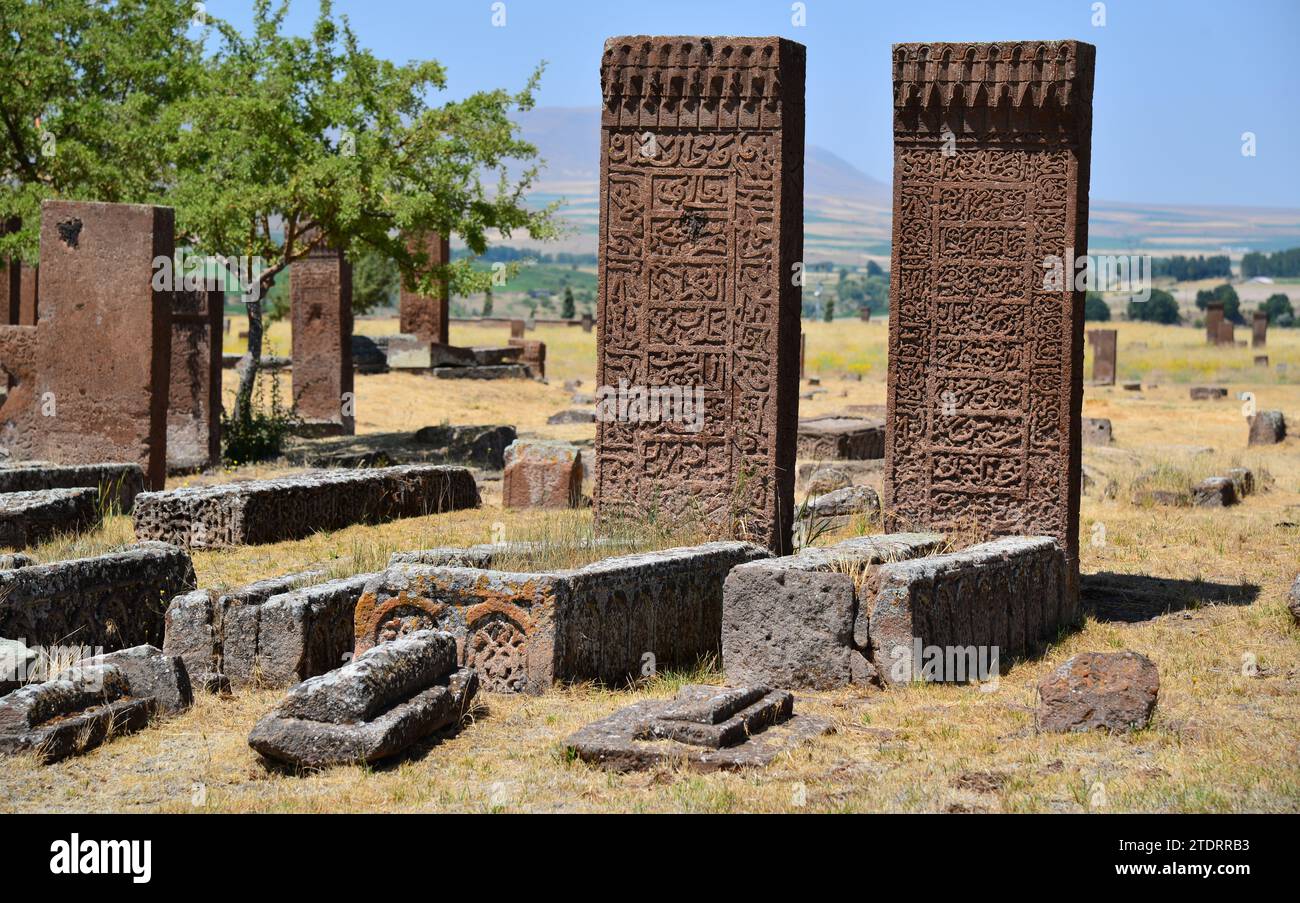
<point x="1029" y="73"/>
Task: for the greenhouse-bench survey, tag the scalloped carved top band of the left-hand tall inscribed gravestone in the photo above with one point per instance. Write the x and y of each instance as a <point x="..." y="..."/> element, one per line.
<point x="643" y="77"/>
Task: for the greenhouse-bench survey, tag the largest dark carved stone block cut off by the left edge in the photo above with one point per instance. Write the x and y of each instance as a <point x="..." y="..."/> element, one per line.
<point x="110" y="601"/>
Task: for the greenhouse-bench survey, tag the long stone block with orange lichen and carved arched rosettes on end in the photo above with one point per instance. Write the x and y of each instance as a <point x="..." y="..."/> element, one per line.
<point x="608" y="622"/>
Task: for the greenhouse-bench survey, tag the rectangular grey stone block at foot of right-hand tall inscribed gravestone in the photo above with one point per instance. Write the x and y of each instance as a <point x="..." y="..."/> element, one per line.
<point x="1012" y="594"/>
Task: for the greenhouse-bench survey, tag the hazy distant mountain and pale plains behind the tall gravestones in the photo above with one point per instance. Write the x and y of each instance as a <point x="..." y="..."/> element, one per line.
<point x="847" y="214"/>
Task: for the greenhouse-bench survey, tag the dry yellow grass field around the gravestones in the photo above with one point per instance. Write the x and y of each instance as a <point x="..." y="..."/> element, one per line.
<point x="1225" y="739"/>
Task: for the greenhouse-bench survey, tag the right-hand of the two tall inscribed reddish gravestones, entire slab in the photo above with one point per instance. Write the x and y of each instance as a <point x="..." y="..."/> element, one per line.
<point x="993" y="147"/>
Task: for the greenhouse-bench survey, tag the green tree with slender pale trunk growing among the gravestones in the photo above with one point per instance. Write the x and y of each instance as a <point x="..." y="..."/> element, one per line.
<point x="297" y="144"/>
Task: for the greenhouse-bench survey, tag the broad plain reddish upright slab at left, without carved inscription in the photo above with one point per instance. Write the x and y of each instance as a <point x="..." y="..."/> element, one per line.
<point x="89" y="383"/>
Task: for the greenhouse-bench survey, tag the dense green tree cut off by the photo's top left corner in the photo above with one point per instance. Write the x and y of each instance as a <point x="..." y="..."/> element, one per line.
<point x="86" y="88"/>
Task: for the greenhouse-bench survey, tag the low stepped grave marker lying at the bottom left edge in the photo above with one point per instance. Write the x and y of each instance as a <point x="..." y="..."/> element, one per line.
<point x="93" y="702"/>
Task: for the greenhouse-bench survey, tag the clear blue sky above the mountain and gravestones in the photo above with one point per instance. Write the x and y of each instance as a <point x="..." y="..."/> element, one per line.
<point x="1178" y="83"/>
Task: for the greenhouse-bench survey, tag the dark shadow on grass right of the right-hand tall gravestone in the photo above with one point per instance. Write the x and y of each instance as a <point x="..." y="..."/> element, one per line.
<point x="1132" y="598"/>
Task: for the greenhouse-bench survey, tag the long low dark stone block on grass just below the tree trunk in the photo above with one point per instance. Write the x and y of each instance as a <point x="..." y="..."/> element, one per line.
<point x="292" y="507"/>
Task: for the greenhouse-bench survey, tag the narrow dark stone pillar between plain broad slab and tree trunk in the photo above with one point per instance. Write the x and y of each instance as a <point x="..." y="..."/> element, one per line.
<point x="194" y="397"/>
